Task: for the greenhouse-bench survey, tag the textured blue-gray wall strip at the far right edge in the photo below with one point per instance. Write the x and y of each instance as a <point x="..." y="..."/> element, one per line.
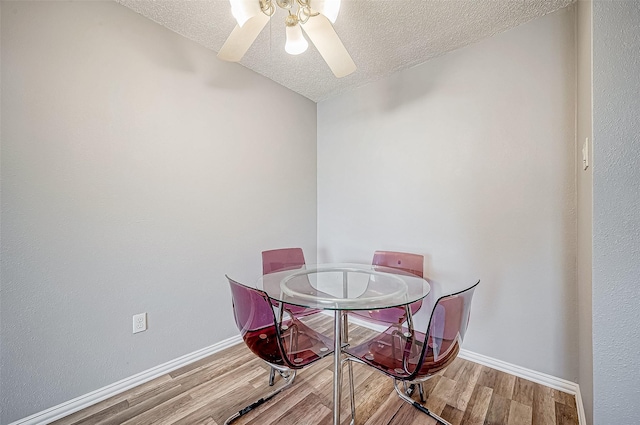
<point x="616" y="217"/>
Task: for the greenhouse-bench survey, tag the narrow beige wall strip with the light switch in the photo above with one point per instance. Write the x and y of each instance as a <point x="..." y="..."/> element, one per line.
<point x="584" y="186"/>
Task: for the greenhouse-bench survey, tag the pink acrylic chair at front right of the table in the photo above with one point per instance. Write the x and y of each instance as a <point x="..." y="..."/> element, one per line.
<point x="413" y="357"/>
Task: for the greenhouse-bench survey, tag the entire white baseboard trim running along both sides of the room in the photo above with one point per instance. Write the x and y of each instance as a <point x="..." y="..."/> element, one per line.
<point x="82" y="402"/>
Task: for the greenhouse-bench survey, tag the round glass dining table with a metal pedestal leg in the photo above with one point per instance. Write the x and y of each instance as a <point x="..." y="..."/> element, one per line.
<point x="341" y="288"/>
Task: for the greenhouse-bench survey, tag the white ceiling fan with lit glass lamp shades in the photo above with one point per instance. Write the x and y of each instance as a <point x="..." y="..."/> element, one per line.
<point x="313" y="16"/>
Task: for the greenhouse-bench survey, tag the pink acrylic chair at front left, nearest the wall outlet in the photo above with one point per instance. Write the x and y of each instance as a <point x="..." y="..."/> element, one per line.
<point x="286" y="346"/>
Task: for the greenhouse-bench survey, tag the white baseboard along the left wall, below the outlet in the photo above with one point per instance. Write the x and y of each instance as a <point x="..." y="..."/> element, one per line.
<point x="84" y="401"/>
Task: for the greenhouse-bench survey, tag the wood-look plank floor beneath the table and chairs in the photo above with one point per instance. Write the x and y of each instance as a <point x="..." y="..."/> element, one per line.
<point x="210" y="390"/>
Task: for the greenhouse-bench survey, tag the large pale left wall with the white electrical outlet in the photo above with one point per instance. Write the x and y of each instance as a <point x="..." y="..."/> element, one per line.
<point x="137" y="169"/>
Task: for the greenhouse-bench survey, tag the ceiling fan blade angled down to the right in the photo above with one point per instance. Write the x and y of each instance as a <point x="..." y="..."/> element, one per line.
<point x="326" y="40"/>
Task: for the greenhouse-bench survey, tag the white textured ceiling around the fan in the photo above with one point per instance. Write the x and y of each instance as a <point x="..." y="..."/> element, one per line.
<point x="382" y="36"/>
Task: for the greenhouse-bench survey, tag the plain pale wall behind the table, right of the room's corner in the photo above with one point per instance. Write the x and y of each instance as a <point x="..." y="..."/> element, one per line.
<point x="469" y="159"/>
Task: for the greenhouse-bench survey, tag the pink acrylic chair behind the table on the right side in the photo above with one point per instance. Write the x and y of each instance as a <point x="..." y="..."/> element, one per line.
<point x="404" y="262"/>
